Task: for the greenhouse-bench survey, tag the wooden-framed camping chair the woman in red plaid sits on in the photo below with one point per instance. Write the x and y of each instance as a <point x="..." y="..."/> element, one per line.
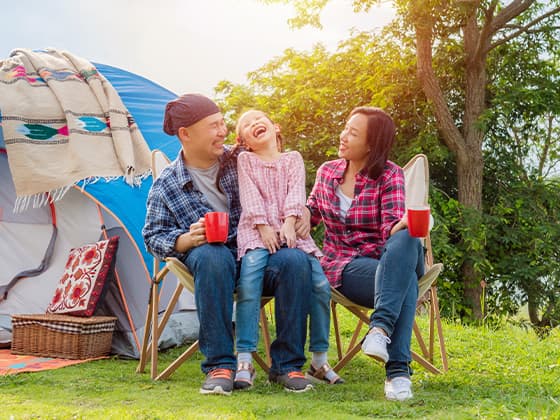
<point x="416" y="186"/>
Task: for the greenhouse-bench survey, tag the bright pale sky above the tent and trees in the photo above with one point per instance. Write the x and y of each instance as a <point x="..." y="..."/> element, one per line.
<point x="183" y="45"/>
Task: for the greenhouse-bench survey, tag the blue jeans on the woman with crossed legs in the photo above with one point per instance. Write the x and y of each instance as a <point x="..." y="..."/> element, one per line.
<point x="390" y="286"/>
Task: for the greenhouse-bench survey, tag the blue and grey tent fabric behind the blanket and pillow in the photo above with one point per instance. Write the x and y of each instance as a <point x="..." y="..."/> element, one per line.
<point x="82" y="216"/>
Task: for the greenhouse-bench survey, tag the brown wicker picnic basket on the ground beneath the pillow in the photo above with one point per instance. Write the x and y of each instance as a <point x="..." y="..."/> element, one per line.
<point x="63" y="336"/>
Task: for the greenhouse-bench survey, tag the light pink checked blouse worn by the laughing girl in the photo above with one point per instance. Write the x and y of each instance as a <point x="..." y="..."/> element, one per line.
<point x="270" y="192"/>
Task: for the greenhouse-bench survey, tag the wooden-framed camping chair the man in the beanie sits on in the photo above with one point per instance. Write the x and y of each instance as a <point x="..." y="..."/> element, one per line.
<point x="154" y="327"/>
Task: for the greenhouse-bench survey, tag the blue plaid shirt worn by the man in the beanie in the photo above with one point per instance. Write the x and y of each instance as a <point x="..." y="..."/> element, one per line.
<point x="174" y="204"/>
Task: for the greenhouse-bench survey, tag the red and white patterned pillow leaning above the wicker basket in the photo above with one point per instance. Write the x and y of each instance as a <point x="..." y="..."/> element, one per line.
<point x="86" y="270"/>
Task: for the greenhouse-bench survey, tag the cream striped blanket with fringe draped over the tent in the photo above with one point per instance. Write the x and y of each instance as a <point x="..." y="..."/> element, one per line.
<point x="63" y="122"/>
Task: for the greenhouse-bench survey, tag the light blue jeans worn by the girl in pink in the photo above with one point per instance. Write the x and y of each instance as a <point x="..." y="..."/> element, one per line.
<point x="248" y="302"/>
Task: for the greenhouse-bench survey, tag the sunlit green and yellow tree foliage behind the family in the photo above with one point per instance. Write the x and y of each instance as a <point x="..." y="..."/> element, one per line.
<point x="511" y="241"/>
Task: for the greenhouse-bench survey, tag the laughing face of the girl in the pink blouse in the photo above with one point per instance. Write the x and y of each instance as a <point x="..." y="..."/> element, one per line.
<point x="257" y="131"/>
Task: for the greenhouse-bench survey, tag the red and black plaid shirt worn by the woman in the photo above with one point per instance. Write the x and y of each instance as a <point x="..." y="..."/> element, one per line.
<point x="378" y="204"/>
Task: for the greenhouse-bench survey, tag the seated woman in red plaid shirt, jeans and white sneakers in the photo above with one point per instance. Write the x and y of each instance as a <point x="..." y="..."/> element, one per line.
<point x="368" y="254"/>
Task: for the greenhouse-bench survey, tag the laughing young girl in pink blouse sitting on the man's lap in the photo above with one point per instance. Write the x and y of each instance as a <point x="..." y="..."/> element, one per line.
<point x="272" y="194"/>
